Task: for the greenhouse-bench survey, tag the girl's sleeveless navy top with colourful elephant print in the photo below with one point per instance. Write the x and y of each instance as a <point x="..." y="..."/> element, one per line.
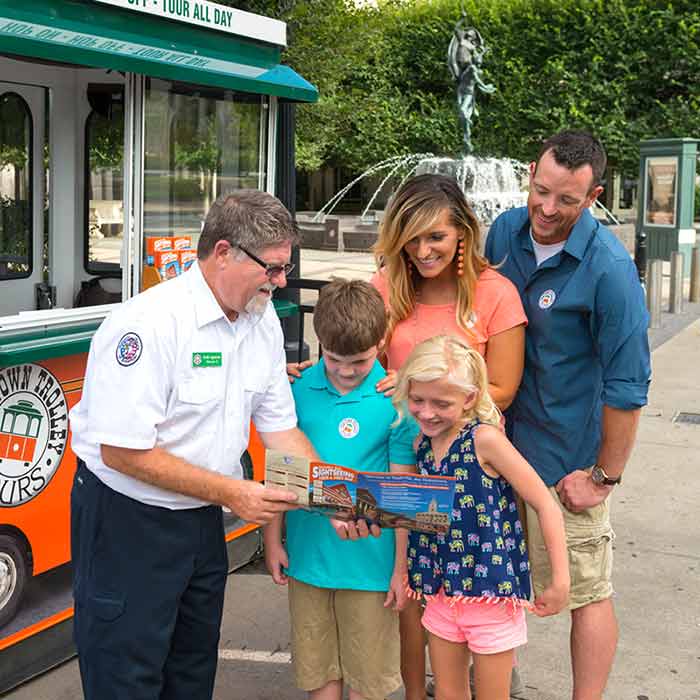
<point x="483" y="556"/>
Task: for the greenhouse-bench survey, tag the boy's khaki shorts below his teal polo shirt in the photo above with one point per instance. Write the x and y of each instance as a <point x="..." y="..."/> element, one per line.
<point x="344" y="635"/>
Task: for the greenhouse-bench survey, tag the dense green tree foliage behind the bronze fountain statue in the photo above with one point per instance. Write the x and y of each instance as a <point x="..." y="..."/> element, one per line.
<point x="626" y="69"/>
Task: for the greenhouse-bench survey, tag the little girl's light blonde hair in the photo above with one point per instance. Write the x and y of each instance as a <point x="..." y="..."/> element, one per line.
<point x="447" y="357"/>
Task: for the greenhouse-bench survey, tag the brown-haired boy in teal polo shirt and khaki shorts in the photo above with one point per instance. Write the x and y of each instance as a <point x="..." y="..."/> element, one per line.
<point x="343" y="595"/>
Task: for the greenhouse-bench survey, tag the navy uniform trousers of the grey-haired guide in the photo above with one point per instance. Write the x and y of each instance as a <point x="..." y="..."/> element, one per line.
<point x="148" y="584"/>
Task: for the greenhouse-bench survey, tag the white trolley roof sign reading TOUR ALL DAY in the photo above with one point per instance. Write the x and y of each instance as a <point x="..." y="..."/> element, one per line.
<point x="210" y="15"/>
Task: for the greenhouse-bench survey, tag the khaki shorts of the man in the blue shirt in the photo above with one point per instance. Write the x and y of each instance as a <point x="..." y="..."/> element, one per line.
<point x="589" y="539"/>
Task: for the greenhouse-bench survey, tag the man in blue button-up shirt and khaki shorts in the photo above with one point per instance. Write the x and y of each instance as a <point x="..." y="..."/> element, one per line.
<point x="586" y="376"/>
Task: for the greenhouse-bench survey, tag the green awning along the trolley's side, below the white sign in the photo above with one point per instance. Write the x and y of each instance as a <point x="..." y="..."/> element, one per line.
<point x="101" y="36"/>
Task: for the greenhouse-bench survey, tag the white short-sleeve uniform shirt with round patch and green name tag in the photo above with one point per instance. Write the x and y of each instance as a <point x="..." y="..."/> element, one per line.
<point x="168" y="369"/>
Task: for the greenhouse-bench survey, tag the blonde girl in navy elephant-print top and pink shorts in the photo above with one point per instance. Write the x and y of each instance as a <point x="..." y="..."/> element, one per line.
<point x="474" y="578"/>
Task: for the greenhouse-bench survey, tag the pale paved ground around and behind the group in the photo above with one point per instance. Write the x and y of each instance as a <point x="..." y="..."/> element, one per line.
<point x="657" y="563"/>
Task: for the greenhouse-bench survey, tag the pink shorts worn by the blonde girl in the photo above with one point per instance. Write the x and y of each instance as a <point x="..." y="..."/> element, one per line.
<point x="484" y="627"/>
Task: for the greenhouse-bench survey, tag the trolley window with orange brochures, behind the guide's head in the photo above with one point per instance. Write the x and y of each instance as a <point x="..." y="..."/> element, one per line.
<point x="199" y="143"/>
